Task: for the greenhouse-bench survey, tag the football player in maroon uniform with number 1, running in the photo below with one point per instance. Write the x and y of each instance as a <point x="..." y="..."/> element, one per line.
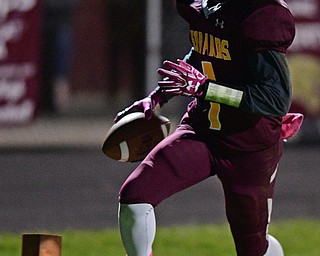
<point x="238" y="77"/>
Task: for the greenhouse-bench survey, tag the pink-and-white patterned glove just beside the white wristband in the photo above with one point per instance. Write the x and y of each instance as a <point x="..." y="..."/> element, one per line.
<point x="182" y="79"/>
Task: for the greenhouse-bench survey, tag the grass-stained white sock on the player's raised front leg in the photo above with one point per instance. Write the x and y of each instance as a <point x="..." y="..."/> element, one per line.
<point x="137" y="228"/>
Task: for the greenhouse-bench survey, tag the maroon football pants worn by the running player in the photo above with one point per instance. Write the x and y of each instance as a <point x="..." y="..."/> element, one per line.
<point x="183" y="159"/>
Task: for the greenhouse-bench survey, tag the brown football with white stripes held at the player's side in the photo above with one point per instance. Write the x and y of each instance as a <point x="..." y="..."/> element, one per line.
<point x="133" y="137"/>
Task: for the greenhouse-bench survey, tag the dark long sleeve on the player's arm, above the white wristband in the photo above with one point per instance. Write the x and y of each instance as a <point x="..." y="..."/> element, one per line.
<point x="271" y="92"/>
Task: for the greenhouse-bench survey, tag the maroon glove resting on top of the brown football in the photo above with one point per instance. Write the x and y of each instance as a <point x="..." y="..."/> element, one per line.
<point x="146" y="105"/>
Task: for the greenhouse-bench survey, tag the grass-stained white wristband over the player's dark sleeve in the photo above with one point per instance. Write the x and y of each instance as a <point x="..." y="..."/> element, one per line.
<point x="222" y="94"/>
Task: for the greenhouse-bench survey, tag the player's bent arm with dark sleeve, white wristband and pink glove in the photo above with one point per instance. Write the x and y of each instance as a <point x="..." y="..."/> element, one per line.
<point x="268" y="95"/>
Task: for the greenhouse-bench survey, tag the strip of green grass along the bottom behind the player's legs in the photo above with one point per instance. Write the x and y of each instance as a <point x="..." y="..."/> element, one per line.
<point x="298" y="238"/>
